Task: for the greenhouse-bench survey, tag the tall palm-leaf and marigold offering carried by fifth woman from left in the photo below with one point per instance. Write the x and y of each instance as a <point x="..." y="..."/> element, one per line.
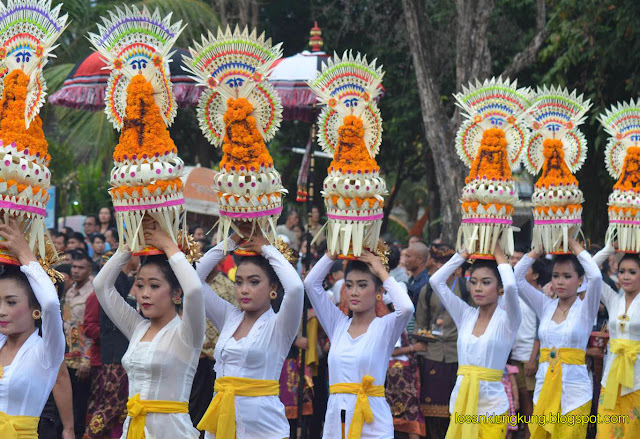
<point x="490" y="142"/>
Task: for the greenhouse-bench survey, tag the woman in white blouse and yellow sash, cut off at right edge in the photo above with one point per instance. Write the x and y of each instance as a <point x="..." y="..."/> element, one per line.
<point x="621" y="378"/>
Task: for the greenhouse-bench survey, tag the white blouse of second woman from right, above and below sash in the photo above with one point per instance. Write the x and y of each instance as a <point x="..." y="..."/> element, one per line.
<point x="573" y="332"/>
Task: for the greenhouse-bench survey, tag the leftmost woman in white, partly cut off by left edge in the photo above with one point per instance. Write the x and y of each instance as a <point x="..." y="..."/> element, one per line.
<point x="29" y="363"/>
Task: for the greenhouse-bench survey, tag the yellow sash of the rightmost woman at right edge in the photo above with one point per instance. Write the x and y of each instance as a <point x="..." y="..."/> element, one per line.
<point x="621" y="372"/>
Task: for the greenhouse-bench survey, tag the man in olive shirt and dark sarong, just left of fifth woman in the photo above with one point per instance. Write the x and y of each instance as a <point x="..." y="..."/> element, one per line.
<point x="439" y="364"/>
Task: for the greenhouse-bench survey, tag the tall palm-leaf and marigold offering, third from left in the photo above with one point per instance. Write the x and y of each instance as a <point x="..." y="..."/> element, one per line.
<point x="241" y="111"/>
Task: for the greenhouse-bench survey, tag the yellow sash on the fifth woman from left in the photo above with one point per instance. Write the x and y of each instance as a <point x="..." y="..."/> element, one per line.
<point x="467" y="400"/>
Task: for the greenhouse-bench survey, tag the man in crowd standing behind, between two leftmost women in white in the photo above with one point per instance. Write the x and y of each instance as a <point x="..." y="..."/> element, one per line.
<point x="77" y="358"/>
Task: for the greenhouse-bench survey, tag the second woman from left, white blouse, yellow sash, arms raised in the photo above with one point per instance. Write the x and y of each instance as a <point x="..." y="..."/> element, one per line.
<point x="163" y="348"/>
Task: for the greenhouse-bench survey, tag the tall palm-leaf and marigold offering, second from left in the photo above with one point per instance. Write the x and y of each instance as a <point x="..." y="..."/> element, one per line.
<point x="145" y="179"/>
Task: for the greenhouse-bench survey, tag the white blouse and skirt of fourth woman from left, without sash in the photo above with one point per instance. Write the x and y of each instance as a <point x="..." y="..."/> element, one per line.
<point x="350" y="359"/>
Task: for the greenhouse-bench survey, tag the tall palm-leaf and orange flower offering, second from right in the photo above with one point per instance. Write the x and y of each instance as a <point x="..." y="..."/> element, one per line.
<point x="559" y="149"/>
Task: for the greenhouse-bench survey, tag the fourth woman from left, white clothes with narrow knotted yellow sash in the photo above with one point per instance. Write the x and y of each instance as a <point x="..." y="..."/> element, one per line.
<point x="361" y="346"/>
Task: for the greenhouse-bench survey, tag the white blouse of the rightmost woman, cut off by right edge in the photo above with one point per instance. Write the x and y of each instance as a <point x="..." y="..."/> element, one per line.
<point x="616" y="304"/>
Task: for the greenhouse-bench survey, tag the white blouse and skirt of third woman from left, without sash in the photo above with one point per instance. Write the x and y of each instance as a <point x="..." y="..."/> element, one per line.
<point x="260" y="354"/>
